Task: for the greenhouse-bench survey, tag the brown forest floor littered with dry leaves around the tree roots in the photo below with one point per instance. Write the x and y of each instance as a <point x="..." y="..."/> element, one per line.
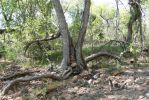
<point x="127" y="84"/>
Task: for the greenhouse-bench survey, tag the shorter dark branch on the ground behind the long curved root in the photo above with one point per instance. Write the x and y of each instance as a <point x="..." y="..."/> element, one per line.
<point x="16" y="75"/>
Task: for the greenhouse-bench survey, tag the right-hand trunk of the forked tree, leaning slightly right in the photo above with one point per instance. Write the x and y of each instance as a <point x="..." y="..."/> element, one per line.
<point x="85" y="17"/>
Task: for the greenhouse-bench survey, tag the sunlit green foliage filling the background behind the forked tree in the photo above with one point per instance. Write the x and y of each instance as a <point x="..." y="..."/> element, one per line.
<point x="35" y="19"/>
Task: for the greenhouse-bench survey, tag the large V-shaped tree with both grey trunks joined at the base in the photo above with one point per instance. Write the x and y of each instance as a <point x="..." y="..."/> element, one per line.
<point x="72" y="52"/>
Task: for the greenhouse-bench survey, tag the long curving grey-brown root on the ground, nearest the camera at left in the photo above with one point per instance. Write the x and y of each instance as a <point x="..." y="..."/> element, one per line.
<point x="30" y="78"/>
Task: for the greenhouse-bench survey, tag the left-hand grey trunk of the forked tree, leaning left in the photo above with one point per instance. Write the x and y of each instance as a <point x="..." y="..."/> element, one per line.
<point x="65" y="33"/>
